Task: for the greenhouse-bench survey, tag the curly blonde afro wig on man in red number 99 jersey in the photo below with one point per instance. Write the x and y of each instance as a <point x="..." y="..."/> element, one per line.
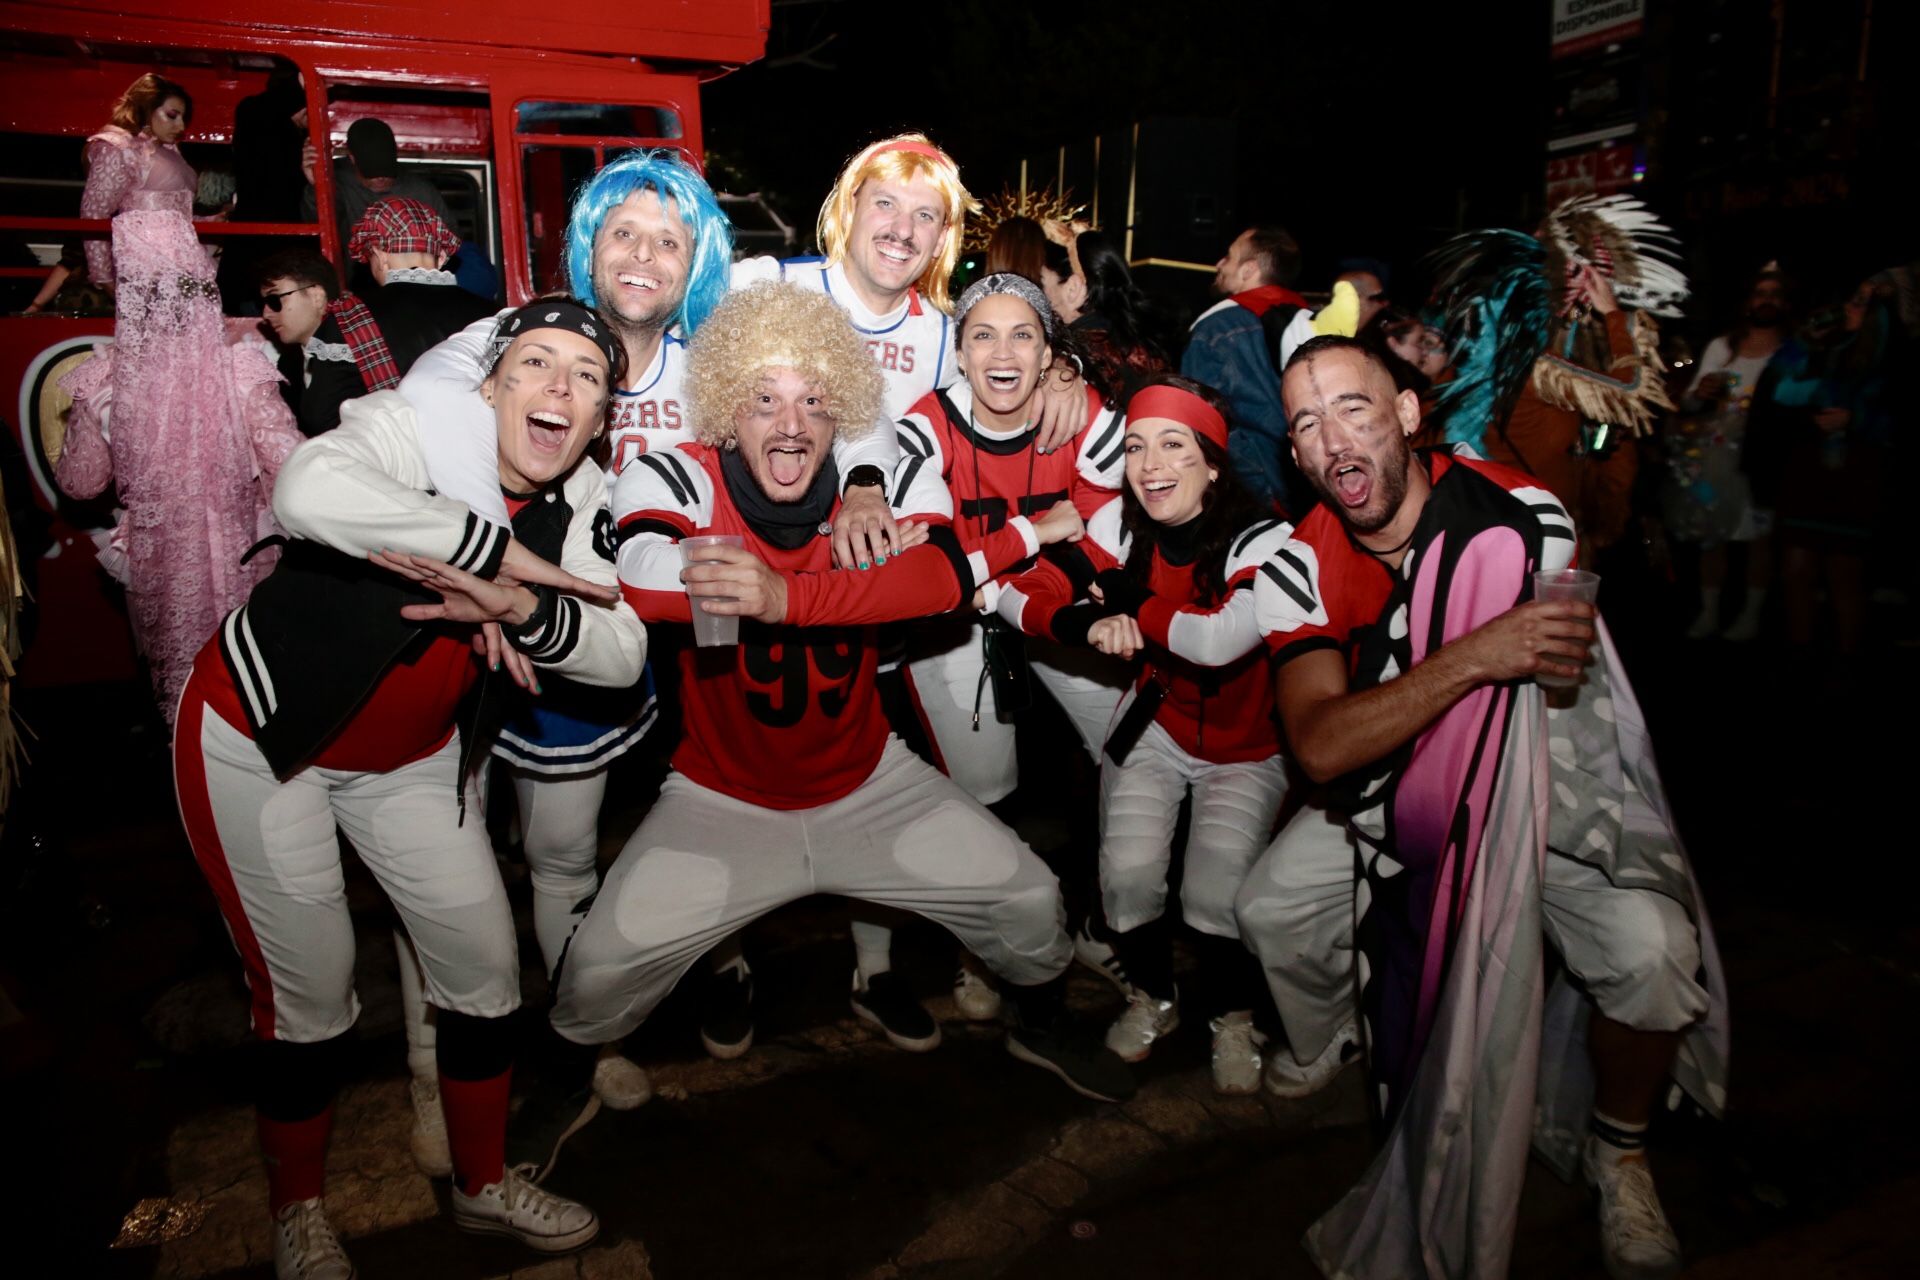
<point x="769" y="327"/>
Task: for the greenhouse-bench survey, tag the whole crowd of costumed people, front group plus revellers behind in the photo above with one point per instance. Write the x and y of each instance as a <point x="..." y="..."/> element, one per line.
<point x="1280" y="569"/>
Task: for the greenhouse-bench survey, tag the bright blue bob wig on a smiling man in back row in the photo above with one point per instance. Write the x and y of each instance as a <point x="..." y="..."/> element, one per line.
<point x="669" y="178"/>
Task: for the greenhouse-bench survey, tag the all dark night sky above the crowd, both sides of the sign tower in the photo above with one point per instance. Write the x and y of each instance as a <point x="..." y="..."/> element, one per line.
<point x="1368" y="130"/>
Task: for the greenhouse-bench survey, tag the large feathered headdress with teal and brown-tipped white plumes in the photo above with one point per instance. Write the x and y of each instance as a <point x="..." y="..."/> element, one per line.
<point x="1512" y="314"/>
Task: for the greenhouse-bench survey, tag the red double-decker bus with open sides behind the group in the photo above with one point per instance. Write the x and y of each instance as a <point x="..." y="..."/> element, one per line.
<point x="508" y="108"/>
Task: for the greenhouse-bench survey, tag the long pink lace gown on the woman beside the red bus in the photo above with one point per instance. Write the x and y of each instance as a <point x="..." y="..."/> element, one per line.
<point x="187" y="425"/>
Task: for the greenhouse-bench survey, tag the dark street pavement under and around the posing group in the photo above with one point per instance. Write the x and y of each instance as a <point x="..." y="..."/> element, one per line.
<point x="827" y="1152"/>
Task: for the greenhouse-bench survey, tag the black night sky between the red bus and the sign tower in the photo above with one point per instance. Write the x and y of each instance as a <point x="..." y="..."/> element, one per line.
<point x="1364" y="128"/>
